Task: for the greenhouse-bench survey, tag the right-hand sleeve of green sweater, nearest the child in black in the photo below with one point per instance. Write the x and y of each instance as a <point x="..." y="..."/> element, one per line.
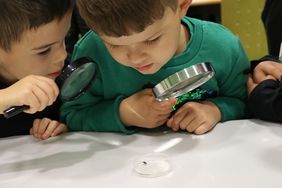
<point x="233" y="93"/>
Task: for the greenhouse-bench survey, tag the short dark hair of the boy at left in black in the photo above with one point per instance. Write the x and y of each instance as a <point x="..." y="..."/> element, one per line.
<point x="18" y="16"/>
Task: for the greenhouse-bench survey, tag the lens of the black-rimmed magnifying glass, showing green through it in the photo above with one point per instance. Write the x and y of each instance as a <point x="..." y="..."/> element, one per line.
<point x="78" y="81"/>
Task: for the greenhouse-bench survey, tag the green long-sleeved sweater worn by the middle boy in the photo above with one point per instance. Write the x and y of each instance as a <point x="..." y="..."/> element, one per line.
<point x="98" y="108"/>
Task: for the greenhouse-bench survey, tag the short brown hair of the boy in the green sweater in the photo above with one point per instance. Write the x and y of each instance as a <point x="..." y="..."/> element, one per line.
<point x="122" y="17"/>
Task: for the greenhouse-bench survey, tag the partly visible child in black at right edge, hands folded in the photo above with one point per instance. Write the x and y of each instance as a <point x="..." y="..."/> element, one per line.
<point x="264" y="84"/>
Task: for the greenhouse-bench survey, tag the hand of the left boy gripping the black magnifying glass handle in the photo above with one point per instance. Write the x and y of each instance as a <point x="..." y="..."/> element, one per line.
<point x="35" y="91"/>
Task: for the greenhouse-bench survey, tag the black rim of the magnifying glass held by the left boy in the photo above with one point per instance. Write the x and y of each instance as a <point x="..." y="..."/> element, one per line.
<point x="69" y="69"/>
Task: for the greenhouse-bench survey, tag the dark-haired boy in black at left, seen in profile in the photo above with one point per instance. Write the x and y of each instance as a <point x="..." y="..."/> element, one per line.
<point x="32" y="54"/>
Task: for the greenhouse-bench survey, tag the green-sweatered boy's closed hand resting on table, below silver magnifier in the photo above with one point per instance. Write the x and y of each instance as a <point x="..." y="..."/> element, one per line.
<point x="195" y="117"/>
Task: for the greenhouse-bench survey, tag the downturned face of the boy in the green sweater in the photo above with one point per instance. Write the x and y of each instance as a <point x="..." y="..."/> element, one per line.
<point x="149" y="50"/>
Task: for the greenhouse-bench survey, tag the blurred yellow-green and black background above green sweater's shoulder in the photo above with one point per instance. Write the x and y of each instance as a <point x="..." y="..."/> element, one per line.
<point x="242" y="17"/>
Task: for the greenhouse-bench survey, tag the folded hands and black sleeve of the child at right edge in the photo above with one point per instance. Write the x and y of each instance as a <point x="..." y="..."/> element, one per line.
<point x="265" y="90"/>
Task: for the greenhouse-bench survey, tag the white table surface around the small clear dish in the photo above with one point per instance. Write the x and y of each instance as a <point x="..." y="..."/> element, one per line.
<point x="239" y="154"/>
